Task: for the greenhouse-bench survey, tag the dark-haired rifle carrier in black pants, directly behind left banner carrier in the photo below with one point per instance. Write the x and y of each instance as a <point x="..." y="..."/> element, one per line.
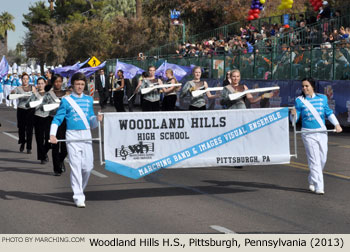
<point x="59" y="151"/>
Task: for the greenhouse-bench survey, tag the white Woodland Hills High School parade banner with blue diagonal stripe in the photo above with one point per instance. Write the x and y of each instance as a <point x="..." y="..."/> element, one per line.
<point x="138" y="144"/>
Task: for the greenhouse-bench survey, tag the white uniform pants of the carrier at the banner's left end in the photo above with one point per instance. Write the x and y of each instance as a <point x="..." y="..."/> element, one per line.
<point x="81" y="161"/>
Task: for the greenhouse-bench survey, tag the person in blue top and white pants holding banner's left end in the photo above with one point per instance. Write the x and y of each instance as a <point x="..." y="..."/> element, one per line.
<point x="77" y="109"/>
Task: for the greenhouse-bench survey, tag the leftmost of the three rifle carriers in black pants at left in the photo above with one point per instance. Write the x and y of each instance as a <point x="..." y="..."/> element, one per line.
<point x="24" y="115"/>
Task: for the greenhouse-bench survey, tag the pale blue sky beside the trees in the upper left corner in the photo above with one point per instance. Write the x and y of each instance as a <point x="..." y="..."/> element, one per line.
<point x="16" y="8"/>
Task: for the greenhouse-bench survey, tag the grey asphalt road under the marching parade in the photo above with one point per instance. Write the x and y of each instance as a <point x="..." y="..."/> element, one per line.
<point x="255" y="199"/>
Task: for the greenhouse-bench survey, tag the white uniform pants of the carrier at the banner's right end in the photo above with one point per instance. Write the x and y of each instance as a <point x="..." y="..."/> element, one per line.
<point x="316" y="146"/>
